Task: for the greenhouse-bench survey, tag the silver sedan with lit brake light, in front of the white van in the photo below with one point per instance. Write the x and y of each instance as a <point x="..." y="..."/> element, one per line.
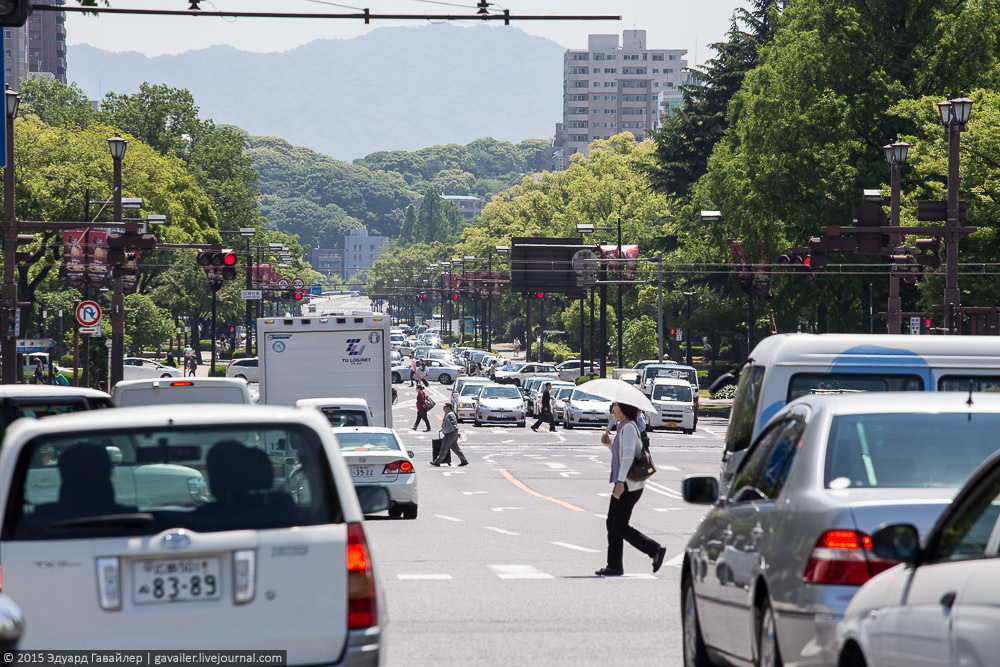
<point x="768" y="575"/>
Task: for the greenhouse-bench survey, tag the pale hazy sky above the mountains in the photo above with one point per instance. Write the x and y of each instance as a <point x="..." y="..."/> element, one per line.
<point x="688" y="24"/>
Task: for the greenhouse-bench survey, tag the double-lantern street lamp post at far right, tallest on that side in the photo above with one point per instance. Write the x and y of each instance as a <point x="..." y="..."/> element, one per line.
<point x="954" y="115"/>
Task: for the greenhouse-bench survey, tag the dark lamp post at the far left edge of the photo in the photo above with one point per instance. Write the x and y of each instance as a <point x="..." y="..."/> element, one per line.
<point x="8" y="351"/>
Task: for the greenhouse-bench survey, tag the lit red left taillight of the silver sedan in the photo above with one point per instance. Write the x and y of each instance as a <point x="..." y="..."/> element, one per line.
<point x="843" y="558"/>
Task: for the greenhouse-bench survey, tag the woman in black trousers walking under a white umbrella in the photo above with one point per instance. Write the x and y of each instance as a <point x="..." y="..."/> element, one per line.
<point x="626" y="447"/>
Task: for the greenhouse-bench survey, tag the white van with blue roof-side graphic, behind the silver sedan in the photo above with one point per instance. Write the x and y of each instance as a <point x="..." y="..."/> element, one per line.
<point x="785" y="366"/>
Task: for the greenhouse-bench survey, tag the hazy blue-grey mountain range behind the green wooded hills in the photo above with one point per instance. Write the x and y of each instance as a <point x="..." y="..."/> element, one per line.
<point x="391" y="89"/>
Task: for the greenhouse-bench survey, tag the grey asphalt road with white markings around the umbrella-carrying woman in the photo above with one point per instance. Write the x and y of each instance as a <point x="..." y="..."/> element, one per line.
<point x="498" y="568"/>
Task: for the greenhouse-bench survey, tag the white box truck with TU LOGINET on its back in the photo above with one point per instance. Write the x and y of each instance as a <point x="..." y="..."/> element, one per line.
<point x="327" y="356"/>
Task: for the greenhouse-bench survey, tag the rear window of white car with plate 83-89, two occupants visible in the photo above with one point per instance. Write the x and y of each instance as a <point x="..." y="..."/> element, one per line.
<point x="113" y="483"/>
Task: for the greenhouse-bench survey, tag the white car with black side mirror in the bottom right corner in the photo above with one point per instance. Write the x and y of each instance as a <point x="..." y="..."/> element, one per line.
<point x="939" y="607"/>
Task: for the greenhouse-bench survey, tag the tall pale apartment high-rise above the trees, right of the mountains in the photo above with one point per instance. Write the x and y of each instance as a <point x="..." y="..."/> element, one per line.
<point x="612" y="87"/>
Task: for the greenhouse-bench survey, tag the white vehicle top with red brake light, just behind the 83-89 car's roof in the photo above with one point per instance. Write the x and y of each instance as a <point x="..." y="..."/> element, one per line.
<point x="129" y="393"/>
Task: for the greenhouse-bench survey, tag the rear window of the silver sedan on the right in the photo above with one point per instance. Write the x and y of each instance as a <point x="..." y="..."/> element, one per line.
<point x="904" y="450"/>
